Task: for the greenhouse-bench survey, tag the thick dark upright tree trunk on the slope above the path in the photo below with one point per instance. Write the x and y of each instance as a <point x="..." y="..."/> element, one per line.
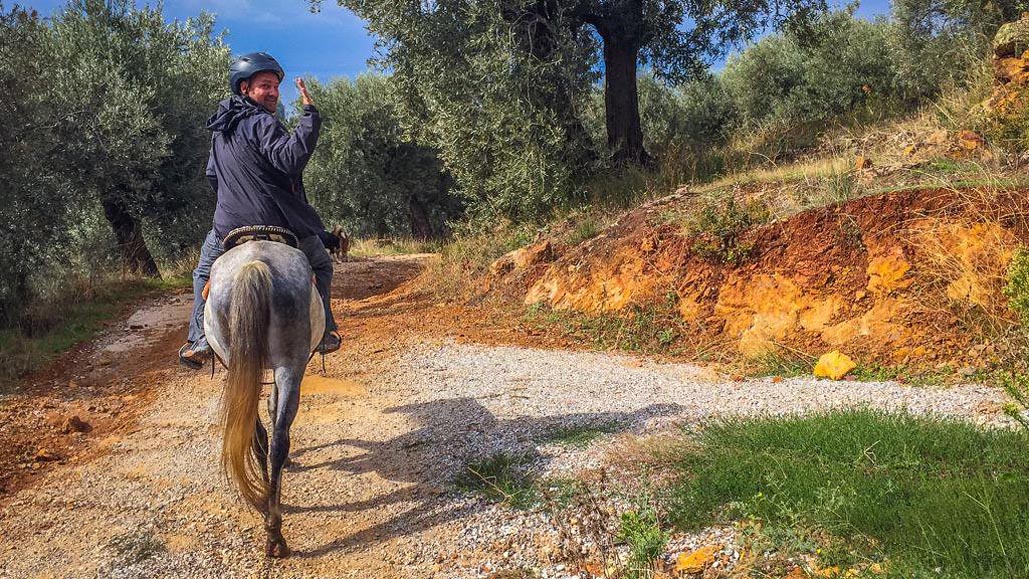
<point x="622" y="107"/>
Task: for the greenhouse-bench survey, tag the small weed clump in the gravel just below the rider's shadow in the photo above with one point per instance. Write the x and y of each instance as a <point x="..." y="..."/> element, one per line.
<point x="502" y="478"/>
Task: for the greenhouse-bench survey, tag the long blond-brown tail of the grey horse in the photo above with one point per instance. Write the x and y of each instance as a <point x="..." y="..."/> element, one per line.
<point x="250" y="314"/>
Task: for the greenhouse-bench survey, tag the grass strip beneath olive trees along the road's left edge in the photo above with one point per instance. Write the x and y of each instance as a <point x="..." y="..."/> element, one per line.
<point x="52" y="329"/>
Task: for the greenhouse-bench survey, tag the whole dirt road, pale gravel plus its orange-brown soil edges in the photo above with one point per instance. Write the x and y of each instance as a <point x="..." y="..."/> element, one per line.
<point x="420" y="391"/>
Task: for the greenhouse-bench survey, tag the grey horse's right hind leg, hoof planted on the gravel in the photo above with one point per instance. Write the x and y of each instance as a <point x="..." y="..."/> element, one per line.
<point x="288" y="385"/>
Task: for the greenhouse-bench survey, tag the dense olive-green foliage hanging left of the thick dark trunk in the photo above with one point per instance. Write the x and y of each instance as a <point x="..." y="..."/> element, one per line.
<point x="498" y="101"/>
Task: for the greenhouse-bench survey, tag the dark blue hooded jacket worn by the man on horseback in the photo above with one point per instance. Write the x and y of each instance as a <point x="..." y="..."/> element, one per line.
<point x="256" y="168"/>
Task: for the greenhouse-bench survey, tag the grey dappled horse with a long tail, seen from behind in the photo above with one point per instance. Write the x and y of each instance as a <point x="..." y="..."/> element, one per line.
<point x="263" y="312"/>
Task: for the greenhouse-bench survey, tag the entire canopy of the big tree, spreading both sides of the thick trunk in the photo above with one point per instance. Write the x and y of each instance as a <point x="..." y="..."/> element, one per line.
<point x="504" y="89"/>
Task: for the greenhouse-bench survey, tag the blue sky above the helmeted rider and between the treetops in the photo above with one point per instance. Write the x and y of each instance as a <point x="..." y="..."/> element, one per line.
<point x="324" y="46"/>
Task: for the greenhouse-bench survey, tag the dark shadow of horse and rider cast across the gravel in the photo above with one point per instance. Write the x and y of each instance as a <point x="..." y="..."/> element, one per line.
<point x="450" y="435"/>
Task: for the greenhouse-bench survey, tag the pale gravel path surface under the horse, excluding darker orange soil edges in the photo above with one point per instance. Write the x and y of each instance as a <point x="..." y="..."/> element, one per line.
<point x="370" y="491"/>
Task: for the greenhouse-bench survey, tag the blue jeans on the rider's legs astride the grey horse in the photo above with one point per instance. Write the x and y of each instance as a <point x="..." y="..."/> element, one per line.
<point x="322" y="265"/>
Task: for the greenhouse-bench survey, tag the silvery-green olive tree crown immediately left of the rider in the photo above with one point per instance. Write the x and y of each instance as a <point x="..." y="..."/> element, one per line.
<point x="130" y="135"/>
